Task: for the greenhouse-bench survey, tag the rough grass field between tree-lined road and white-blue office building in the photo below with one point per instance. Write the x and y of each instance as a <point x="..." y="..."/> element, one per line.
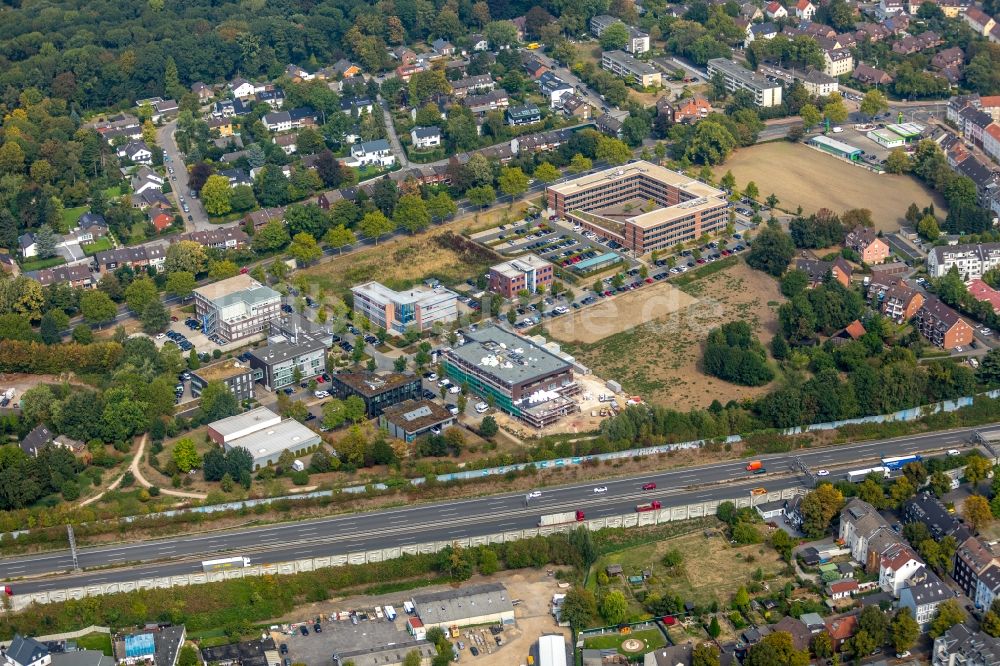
<point x="398" y="264"/>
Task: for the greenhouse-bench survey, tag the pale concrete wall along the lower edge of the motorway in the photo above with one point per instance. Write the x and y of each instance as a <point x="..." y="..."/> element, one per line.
<point x="664" y="515"/>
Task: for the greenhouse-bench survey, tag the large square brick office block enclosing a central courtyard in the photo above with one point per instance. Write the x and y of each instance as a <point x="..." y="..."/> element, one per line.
<point x="614" y="204"/>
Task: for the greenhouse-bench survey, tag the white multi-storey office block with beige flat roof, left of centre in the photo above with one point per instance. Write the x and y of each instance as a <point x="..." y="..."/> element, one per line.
<point x="236" y="308"/>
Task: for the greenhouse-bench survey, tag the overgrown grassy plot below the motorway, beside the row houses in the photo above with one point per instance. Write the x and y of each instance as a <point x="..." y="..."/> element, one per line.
<point x="711" y="568"/>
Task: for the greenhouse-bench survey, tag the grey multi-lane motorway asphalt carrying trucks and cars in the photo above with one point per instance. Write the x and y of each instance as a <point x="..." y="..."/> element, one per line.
<point x="422" y="523"/>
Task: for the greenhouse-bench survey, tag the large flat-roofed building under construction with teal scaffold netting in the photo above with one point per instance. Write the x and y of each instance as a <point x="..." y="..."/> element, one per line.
<point x="522" y="379"/>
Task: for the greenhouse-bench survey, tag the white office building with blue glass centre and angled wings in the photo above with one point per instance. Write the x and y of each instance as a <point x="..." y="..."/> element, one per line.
<point x="396" y="311"/>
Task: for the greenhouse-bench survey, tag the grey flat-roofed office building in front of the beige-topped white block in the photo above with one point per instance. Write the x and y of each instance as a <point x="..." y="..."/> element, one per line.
<point x="275" y="364"/>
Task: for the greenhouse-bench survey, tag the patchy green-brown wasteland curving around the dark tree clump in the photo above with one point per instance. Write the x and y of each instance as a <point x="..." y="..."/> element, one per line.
<point x="659" y="358"/>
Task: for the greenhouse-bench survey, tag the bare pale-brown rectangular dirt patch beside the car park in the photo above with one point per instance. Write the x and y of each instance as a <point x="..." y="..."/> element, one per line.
<point x="620" y="313"/>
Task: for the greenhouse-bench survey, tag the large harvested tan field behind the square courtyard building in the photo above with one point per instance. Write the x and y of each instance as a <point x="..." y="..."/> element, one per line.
<point x="801" y="176"/>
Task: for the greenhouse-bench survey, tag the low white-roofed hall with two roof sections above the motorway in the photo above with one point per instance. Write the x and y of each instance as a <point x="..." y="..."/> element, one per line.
<point x="262" y="432"/>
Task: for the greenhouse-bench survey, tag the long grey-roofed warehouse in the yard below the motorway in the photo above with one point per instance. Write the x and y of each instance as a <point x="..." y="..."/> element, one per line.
<point x="488" y="603"/>
